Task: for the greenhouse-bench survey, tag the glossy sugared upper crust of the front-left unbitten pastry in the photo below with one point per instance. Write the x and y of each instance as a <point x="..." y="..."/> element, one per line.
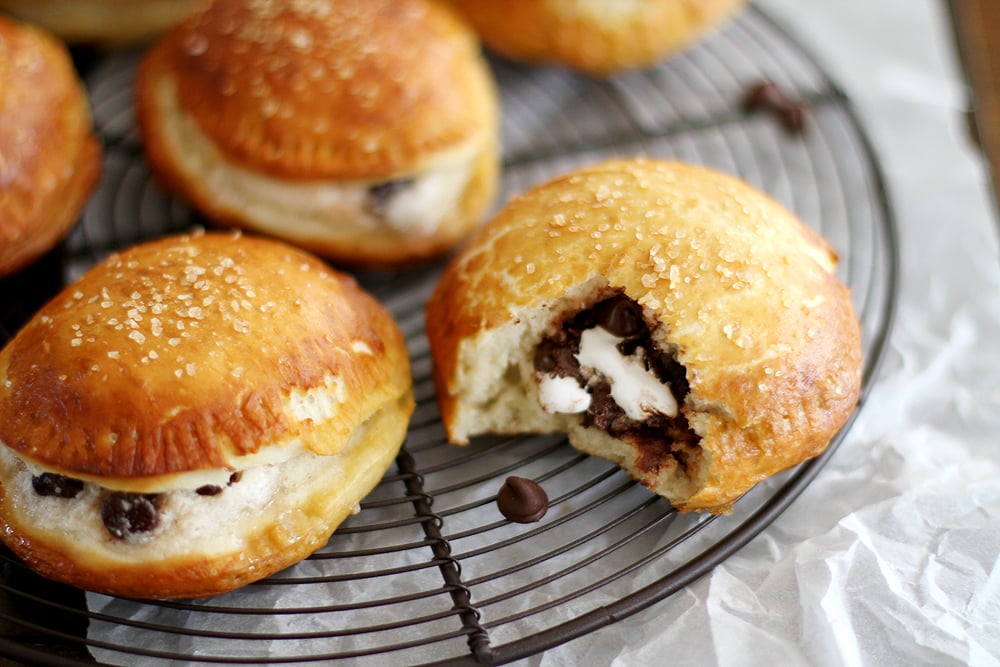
<point x="189" y="353"/>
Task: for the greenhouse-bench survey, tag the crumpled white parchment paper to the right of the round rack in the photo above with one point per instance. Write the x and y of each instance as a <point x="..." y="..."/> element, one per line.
<point x="890" y="556"/>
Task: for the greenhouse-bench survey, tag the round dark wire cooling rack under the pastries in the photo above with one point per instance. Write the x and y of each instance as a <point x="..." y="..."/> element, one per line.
<point x="429" y="572"/>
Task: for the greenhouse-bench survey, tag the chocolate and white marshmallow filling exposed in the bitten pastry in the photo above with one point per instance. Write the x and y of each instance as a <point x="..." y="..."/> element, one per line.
<point x="601" y="363"/>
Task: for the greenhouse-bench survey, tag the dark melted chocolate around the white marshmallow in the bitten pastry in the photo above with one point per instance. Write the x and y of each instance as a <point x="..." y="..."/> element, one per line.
<point x="659" y="436"/>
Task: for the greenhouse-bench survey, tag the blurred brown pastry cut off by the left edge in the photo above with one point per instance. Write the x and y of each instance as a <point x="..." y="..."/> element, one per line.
<point x="50" y="160"/>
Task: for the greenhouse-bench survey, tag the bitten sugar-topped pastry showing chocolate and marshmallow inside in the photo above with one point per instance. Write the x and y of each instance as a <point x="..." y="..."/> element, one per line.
<point x="667" y="317"/>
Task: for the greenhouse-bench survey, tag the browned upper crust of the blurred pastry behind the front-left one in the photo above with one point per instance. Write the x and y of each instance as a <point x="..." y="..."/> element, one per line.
<point x="312" y="89"/>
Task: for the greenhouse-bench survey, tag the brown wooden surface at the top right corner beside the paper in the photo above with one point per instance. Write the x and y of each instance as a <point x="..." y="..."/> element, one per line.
<point x="977" y="36"/>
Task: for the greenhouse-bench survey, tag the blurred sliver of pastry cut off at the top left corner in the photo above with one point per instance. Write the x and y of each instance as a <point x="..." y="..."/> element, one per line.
<point x="107" y="23"/>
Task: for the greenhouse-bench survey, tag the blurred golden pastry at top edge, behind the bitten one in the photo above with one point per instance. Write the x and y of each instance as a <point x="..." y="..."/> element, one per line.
<point x="594" y="36"/>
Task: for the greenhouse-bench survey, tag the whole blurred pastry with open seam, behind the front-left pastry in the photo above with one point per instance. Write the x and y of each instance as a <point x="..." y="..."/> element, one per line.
<point x="364" y="130"/>
